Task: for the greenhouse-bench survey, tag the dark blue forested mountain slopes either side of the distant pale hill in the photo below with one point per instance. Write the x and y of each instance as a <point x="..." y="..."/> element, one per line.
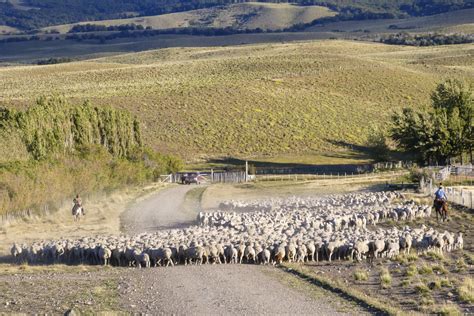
<point x="33" y="14"/>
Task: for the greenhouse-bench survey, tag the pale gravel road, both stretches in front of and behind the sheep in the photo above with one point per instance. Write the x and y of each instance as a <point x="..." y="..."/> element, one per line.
<point x="216" y="289"/>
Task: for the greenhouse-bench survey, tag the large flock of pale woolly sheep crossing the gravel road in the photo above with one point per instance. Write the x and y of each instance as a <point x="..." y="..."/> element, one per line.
<point x="342" y="227"/>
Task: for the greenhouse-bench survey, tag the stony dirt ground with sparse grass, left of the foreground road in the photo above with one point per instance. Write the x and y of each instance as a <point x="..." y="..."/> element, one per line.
<point x="58" y="291"/>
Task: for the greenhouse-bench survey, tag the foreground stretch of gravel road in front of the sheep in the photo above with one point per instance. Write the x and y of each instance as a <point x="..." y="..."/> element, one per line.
<point x="216" y="290"/>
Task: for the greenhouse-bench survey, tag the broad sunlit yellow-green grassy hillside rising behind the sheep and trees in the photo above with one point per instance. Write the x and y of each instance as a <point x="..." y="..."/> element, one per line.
<point x="256" y="100"/>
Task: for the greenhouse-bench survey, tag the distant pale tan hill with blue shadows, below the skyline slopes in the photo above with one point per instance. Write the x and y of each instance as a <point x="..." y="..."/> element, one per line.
<point x="239" y="16"/>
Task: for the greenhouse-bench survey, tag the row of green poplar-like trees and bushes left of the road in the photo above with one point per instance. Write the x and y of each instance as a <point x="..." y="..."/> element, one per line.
<point x="53" y="150"/>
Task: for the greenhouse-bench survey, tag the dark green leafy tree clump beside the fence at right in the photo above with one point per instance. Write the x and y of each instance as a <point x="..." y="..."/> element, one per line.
<point x="445" y="130"/>
